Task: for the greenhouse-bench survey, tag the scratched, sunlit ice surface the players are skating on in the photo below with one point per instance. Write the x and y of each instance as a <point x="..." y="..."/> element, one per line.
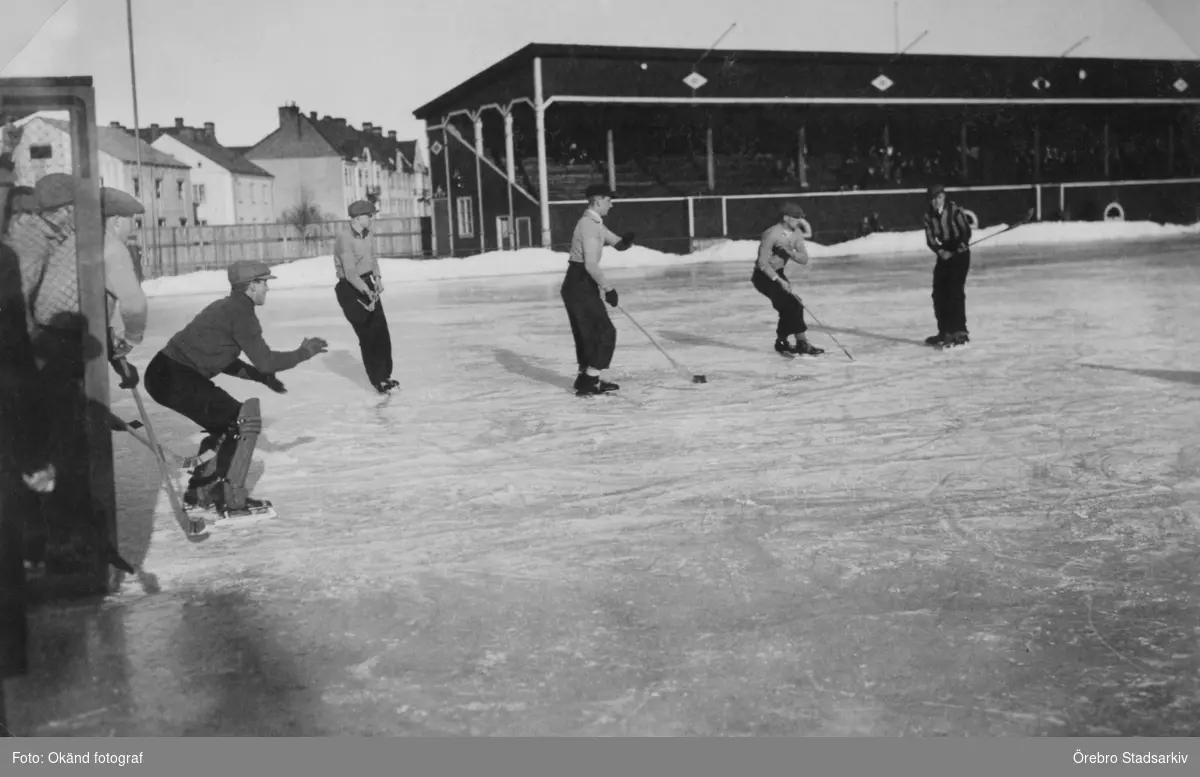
<point x="1000" y="540"/>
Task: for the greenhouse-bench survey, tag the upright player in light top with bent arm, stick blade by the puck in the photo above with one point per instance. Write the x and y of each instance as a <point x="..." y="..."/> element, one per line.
<point x="596" y="338"/>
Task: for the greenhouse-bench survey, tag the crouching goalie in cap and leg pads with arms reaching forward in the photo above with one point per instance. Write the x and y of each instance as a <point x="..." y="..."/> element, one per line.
<point x="181" y="378"/>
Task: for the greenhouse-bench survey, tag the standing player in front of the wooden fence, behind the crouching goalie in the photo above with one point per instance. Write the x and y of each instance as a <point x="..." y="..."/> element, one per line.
<point x="359" y="293"/>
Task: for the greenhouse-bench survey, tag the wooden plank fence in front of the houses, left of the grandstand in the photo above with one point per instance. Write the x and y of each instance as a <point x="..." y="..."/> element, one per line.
<point x="172" y="251"/>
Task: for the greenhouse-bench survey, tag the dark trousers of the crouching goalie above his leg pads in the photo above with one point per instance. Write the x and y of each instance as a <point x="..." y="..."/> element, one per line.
<point x="199" y="400"/>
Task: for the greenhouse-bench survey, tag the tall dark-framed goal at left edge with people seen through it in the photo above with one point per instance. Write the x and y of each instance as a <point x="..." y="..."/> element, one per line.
<point x="52" y="237"/>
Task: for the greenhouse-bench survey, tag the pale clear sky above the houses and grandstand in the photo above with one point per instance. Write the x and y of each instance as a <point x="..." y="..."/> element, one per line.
<point x="235" y="63"/>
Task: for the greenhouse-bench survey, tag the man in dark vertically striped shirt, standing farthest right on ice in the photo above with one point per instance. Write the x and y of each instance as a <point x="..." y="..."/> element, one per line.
<point x="949" y="236"/>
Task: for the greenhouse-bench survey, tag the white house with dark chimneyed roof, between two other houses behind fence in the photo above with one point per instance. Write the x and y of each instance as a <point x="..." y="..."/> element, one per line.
<point x="227" y="188"/>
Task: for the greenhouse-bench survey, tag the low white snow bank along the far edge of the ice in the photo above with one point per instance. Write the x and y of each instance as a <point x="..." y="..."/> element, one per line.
<point x="319" y="272"/>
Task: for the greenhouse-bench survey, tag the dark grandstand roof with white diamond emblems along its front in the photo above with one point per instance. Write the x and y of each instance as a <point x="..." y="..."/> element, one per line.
<point x="645" y="75"/>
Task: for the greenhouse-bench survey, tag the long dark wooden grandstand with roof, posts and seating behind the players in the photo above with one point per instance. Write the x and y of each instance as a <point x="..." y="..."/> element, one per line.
<point x="701" y="152"/>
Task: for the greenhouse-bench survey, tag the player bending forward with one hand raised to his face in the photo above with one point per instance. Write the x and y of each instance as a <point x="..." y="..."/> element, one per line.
<point x="781" y="244"/>
